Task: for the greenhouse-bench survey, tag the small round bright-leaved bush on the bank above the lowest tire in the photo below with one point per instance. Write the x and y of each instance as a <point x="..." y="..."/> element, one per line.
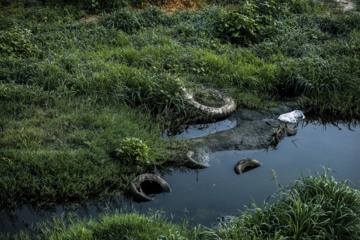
<point x="133" y="151"/>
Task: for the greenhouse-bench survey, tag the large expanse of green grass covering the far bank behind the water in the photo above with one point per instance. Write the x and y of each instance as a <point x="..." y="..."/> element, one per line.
<point x="72" y="91"/>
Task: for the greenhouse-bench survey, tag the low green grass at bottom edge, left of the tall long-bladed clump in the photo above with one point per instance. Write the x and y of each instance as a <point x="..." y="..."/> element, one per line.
<point x="152" y="225"/>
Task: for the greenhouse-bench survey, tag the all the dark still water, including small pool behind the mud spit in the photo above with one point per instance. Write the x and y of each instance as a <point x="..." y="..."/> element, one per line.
<point x="204" y="195"/>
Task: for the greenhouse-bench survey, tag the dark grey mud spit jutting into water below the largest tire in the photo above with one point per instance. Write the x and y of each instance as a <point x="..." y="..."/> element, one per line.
<point x="252" y="132"/>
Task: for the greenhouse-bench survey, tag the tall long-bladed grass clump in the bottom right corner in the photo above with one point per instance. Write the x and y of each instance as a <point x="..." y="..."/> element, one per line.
<point x="313" y="207"/>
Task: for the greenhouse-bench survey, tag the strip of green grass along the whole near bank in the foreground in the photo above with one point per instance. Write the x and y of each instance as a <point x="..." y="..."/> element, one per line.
<point x="314" y="207"/>
